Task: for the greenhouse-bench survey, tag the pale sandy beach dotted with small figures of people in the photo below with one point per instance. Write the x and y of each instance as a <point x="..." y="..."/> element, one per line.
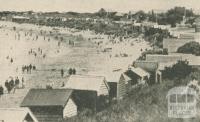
<point x="85" y="56"/>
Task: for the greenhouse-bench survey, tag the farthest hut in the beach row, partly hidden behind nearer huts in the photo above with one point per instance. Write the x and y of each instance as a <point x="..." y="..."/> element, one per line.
<point x="152" y="68"/>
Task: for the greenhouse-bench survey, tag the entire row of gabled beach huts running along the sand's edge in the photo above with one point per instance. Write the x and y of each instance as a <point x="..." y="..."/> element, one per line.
<point x="94" y="92"/>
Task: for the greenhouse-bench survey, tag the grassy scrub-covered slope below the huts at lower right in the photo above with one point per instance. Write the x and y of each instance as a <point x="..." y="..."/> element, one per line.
<point x="143" y="104"/>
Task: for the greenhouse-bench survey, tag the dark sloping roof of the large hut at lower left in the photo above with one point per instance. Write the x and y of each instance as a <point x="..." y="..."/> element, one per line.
<point x="46" y="97"/>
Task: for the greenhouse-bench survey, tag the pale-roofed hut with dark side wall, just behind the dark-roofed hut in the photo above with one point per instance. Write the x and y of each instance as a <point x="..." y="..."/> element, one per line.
<point x="89" y="91"/>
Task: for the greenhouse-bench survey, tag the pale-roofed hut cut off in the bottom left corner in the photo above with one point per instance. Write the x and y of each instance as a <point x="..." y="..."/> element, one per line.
<point x="17" y="115"/>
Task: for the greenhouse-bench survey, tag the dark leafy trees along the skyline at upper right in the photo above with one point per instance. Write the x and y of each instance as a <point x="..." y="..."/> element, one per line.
<point x="172" y="16"/>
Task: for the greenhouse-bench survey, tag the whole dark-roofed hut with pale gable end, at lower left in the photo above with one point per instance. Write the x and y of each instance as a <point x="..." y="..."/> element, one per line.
<point x="50" y="105"/>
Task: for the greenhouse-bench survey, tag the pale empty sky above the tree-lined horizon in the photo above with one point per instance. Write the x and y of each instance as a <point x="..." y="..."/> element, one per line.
<point x="94" y="5"/>
